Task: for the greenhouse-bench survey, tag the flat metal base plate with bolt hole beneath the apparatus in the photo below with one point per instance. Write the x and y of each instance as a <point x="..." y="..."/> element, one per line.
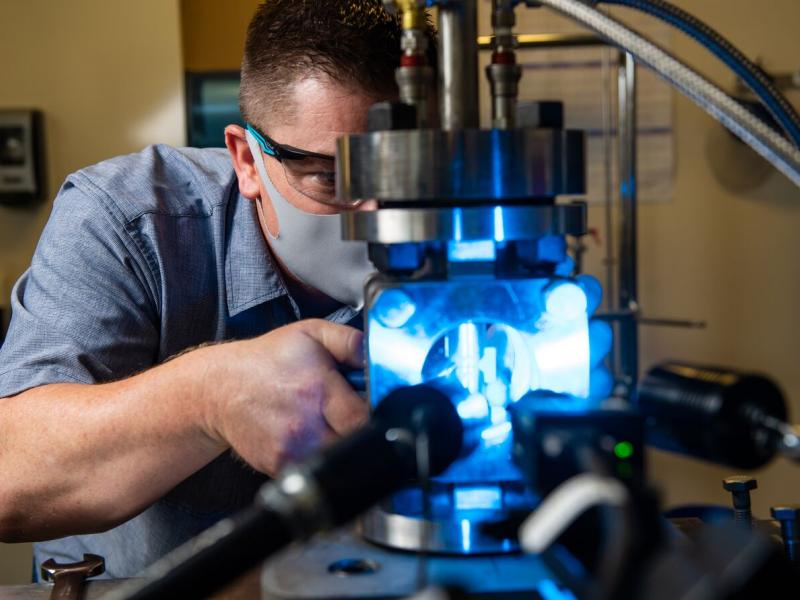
<point x="305" y="572"/>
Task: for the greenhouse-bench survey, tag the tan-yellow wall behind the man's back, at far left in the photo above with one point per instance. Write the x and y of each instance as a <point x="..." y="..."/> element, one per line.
<point x="109" y="79"/>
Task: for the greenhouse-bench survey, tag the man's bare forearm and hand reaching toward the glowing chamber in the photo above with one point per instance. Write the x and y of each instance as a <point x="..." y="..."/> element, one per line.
<point x="78" y="458"/>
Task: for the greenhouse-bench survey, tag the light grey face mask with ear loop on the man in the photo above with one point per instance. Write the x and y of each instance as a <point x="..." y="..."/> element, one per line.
<point x="311" y="246"/>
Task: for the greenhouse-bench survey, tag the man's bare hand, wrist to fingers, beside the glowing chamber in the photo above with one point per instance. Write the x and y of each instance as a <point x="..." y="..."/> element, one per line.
<point x="277" y="397"/>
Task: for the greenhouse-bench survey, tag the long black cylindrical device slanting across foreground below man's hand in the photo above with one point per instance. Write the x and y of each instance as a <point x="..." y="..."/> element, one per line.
<point x="325" y="492"/>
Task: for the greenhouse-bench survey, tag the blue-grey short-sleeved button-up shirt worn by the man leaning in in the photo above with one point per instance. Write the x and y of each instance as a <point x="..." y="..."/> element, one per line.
<point x="144" y="256"/>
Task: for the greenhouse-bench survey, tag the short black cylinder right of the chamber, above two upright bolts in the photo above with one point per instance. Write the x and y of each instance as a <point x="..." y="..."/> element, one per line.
<point x="715" y="414"/>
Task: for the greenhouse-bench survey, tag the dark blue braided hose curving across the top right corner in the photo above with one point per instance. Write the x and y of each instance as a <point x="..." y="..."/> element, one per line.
<point x="749" y="72"/>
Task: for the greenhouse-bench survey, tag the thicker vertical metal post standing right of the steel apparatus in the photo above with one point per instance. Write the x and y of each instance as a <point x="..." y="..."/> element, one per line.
<point x="627" y="256"/>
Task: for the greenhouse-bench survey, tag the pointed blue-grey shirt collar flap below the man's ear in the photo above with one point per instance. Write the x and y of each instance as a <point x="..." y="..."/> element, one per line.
<point x="251" y="276"/>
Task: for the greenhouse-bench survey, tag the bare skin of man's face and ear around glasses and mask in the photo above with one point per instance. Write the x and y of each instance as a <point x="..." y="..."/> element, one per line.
<point x="322" y="110"/>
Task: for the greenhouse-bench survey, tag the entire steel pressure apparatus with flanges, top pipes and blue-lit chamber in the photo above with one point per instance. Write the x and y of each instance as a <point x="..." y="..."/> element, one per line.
<point x="467" y="239"/>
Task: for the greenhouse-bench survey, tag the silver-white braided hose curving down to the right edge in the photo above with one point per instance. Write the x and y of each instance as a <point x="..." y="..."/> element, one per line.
<point x="755" y="133"/>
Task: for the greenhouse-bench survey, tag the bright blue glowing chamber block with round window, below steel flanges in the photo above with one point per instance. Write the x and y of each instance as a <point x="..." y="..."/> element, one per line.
<point x="486" y="343"/>
